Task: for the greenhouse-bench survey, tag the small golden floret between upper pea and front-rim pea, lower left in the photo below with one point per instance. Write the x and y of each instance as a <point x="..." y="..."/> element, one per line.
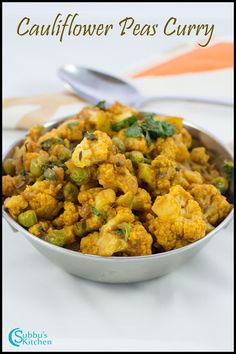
<point x="69" y="216"/>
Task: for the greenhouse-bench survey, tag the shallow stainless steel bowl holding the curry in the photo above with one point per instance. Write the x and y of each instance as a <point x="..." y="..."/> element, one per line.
<point x="128" y="269"/>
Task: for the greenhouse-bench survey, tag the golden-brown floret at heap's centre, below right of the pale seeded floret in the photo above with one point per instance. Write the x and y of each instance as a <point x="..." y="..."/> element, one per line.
<point x="117" y="178"/>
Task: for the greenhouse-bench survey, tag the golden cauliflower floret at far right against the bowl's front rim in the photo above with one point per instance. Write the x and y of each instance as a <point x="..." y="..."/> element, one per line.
<point x="215" y="206"/>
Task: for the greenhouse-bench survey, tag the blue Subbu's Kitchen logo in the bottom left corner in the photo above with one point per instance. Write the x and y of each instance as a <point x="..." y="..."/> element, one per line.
<point x="18" y="337"/>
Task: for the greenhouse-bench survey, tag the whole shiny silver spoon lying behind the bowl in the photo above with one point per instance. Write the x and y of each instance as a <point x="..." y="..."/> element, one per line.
<point x="94" y="86"/>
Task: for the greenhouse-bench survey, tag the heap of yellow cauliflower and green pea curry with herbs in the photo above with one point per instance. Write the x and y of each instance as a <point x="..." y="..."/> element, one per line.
<point x="112" y="181"/>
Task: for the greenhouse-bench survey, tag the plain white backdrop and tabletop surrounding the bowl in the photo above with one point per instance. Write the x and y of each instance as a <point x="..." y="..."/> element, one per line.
<point x="190" y="309"/>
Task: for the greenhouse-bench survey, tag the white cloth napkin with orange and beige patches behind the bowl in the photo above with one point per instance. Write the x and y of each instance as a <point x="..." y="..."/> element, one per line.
<point x="192" y="71"/>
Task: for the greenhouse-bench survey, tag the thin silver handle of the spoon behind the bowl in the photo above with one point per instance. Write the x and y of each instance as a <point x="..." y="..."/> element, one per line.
<point x="223" y="101"/>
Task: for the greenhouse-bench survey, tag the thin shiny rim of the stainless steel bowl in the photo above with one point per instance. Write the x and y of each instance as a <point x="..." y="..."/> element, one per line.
<point x="17" y="227"/>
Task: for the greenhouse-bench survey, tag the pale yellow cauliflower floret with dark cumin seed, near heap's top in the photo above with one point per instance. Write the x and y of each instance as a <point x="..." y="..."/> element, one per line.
<point x="92" y="150"/>
